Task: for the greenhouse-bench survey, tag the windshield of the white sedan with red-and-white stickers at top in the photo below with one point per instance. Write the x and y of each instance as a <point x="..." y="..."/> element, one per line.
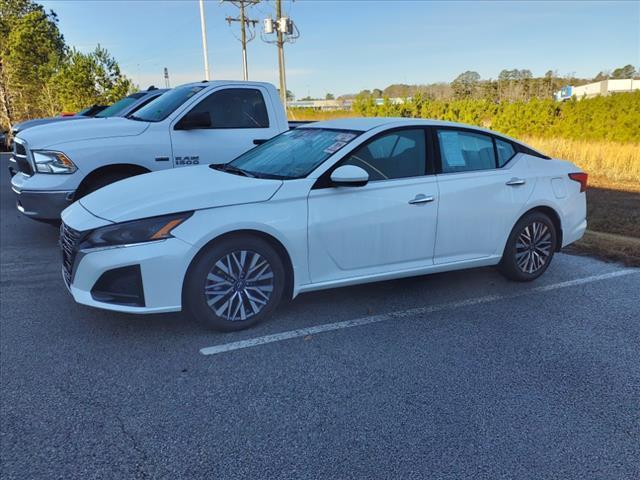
<point x="294" y="154"/>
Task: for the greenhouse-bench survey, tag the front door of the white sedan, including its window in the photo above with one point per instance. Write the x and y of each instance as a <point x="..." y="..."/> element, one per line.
<point x="388" y="224"/>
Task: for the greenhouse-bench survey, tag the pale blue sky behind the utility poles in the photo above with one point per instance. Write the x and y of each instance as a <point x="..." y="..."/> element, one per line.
<point x="346" y="46"/>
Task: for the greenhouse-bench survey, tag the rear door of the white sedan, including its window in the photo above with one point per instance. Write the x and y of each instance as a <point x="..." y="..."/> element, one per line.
<point x="483" y="186"/>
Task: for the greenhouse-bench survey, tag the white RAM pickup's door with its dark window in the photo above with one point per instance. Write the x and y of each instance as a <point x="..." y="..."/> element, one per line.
<point x="238" y="116"/>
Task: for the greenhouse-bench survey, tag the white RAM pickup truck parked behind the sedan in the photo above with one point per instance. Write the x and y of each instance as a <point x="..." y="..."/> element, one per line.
<point x="197" y="123"/>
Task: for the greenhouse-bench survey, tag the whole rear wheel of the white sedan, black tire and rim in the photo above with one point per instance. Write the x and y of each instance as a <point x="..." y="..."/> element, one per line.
<point x="522" y="262"/>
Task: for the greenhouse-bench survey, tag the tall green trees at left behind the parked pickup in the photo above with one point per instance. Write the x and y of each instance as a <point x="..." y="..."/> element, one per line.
<point x="40" y="75"/>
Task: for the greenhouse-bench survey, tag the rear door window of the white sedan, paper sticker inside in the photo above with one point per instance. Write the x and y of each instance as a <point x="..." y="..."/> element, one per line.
<point x="463" y="151"/>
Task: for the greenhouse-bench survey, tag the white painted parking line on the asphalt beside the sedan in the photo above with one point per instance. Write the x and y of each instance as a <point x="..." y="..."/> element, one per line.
<point x="303" y="332"/>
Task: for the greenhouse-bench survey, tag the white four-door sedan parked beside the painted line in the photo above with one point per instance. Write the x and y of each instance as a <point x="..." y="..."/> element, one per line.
<point x="334" y="203"/>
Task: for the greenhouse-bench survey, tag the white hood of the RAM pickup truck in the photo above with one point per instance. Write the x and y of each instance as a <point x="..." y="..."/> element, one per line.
<point x="59" y="133"/>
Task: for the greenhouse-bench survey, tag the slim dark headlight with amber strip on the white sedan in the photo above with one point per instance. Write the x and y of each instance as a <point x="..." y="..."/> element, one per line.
<point x="137" y="231"/>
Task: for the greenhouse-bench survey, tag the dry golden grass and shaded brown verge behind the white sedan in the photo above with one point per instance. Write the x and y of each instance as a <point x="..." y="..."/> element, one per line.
<point x="613" y="198"/>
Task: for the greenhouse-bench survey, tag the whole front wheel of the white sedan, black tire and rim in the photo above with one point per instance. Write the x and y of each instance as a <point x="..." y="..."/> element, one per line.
<point x="246" y="295"/>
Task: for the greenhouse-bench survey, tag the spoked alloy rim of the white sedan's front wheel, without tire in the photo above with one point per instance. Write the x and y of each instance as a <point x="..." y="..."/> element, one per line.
<point x="239" y="285"/>
